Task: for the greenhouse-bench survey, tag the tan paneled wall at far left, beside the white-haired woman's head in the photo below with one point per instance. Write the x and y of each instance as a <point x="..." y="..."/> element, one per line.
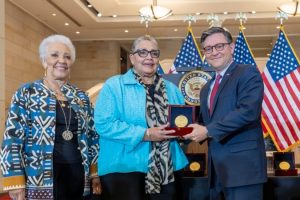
<point x="23" y="36"/>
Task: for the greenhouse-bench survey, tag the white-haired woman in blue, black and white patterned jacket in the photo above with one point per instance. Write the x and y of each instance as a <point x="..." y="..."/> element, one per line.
<point x="50" y="147"/>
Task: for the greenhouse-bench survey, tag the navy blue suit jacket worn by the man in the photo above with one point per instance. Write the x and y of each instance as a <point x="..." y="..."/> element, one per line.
<point x="236" y="146"/>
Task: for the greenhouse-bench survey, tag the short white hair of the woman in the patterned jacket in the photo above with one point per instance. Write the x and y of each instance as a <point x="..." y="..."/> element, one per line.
<point x="56" y="39"/>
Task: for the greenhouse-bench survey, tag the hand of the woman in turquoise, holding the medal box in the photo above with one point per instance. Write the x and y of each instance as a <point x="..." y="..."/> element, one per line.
<point x="158" y="133"/>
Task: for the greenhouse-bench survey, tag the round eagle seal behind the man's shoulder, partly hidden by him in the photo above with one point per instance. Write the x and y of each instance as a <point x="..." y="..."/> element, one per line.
<point x="190" y="86"/>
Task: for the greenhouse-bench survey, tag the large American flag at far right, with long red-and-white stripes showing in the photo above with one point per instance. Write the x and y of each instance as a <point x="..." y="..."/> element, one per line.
<point x="281" y="104"/>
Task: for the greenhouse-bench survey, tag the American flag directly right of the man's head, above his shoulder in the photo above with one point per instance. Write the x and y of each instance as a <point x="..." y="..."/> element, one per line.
<point x="242" y="53"/>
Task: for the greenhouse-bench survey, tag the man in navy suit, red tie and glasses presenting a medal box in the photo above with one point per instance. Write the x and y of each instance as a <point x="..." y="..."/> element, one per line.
<point x="230" y="118"/>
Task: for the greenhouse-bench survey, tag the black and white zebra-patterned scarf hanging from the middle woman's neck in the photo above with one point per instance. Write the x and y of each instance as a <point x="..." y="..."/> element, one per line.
<point x="160" y="167"/>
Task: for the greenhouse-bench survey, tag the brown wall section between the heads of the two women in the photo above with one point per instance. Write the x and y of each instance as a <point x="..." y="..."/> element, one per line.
<point x="95" y="62"/>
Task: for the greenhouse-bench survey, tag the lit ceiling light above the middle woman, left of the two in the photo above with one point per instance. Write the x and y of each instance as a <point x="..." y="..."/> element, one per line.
<point x="154" y="11"/>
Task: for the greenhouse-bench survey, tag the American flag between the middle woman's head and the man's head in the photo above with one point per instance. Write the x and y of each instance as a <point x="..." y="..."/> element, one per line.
<point x="189" y="55"/>
